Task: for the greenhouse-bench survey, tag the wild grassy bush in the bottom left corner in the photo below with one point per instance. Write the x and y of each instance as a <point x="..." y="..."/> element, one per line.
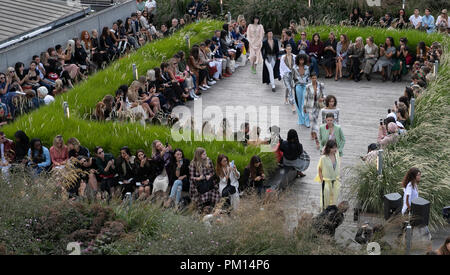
<point x="37" y="219"/>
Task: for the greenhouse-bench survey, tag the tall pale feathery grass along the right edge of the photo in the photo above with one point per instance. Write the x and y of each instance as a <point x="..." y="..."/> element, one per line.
<point x="425" y="146"/>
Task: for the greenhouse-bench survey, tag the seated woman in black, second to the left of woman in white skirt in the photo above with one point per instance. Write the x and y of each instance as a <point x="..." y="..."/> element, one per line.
<point x="126" y="169"/>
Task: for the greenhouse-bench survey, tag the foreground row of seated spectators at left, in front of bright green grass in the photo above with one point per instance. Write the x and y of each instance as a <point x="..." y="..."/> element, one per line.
<point x="165" y="172"/>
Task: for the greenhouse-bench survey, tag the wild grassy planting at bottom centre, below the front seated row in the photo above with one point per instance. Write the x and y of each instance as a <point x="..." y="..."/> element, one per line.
<point x="257" y="228"/>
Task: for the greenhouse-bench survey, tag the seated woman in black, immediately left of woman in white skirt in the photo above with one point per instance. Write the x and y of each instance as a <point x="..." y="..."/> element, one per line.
<point x="146" y="173"/>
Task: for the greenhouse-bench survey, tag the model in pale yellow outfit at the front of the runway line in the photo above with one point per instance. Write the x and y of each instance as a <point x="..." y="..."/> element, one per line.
<point x="329" y="175"/>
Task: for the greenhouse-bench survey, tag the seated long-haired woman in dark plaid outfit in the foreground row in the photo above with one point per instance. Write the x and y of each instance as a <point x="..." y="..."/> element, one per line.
<point x="204" y="189"/>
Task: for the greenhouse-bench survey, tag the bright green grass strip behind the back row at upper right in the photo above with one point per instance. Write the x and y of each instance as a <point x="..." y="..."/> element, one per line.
<point x="379" y="34"/>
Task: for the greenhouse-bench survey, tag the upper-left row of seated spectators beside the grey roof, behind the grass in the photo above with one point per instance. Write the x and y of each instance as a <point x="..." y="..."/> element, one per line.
<point x="60" y="67"/>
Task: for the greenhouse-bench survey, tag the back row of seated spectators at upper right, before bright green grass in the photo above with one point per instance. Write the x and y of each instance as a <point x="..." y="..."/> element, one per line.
<point x="340" y="56"/>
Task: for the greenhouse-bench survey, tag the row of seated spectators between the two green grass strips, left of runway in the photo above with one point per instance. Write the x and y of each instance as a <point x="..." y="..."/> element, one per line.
<point x="176" y="81"/>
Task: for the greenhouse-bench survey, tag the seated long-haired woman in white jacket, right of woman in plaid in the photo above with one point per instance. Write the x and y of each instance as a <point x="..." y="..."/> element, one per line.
<point x="228" y="176"/>
